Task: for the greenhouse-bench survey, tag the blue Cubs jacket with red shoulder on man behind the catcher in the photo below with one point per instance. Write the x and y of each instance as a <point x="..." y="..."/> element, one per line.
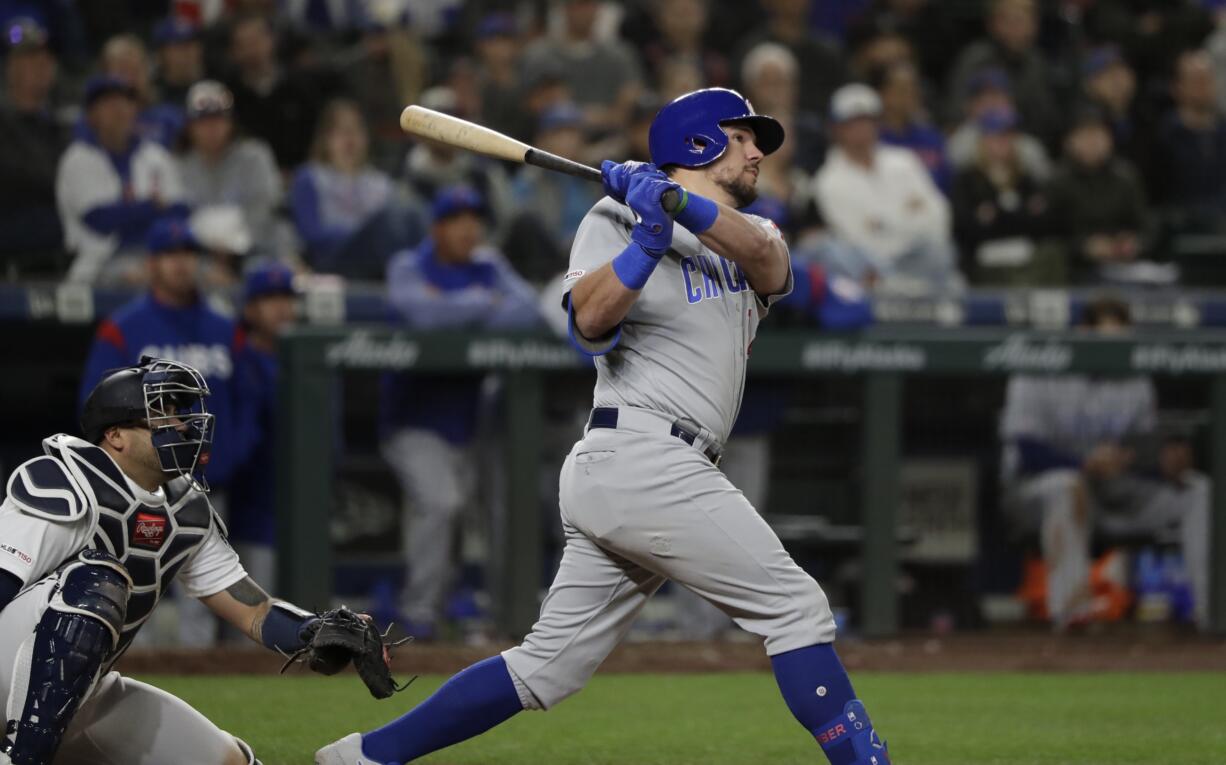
<point x="196" y="335"/>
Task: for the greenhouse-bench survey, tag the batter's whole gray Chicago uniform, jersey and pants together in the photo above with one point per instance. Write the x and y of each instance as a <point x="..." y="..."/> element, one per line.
<point x="639" y="506"/>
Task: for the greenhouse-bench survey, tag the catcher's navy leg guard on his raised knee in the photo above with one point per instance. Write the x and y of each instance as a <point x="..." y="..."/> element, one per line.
<point x="59" y="664"/>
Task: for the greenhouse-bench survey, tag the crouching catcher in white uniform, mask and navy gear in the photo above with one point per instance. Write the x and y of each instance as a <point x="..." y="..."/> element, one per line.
<point x="91" y="536"/>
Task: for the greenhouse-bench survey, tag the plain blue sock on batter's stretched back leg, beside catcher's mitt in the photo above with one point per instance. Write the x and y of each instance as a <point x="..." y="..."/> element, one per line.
<point x="469" y="704"/>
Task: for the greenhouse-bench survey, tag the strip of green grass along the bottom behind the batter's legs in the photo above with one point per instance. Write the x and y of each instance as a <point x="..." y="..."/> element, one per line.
<point x="741" y="720"/>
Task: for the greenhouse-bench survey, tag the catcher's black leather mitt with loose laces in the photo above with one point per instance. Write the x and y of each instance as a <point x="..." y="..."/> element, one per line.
<point x="340" y="636"/>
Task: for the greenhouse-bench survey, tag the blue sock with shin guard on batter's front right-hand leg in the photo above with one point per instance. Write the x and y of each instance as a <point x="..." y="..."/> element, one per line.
<point x="818" y="692"/>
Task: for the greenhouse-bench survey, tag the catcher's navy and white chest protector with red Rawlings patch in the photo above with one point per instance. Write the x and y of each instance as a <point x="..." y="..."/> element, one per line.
<point x="151" y="542"/>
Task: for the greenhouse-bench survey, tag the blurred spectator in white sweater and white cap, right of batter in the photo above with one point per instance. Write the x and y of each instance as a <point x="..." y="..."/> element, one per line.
<point x="882" y="202"/>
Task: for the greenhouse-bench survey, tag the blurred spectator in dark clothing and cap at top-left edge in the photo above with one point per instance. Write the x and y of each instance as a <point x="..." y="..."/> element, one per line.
<point x="31" y="144"/>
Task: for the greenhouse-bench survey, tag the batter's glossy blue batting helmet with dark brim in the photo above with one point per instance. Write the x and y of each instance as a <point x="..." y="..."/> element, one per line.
<point x="688" y="133"/>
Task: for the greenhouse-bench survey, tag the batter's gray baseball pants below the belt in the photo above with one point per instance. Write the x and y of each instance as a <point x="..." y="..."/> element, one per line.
<point x="641" y="507"/>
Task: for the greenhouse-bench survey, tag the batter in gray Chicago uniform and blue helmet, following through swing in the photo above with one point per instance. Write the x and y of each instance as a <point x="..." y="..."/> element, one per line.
<point x="670" y="311"/>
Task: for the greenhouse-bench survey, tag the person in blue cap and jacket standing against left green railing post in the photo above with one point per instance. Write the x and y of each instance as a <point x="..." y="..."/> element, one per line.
<point x="269" y="306"/>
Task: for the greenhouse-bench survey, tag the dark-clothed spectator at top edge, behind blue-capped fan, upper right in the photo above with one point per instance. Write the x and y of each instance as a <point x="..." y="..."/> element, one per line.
<point x="1013" y="28"/>
